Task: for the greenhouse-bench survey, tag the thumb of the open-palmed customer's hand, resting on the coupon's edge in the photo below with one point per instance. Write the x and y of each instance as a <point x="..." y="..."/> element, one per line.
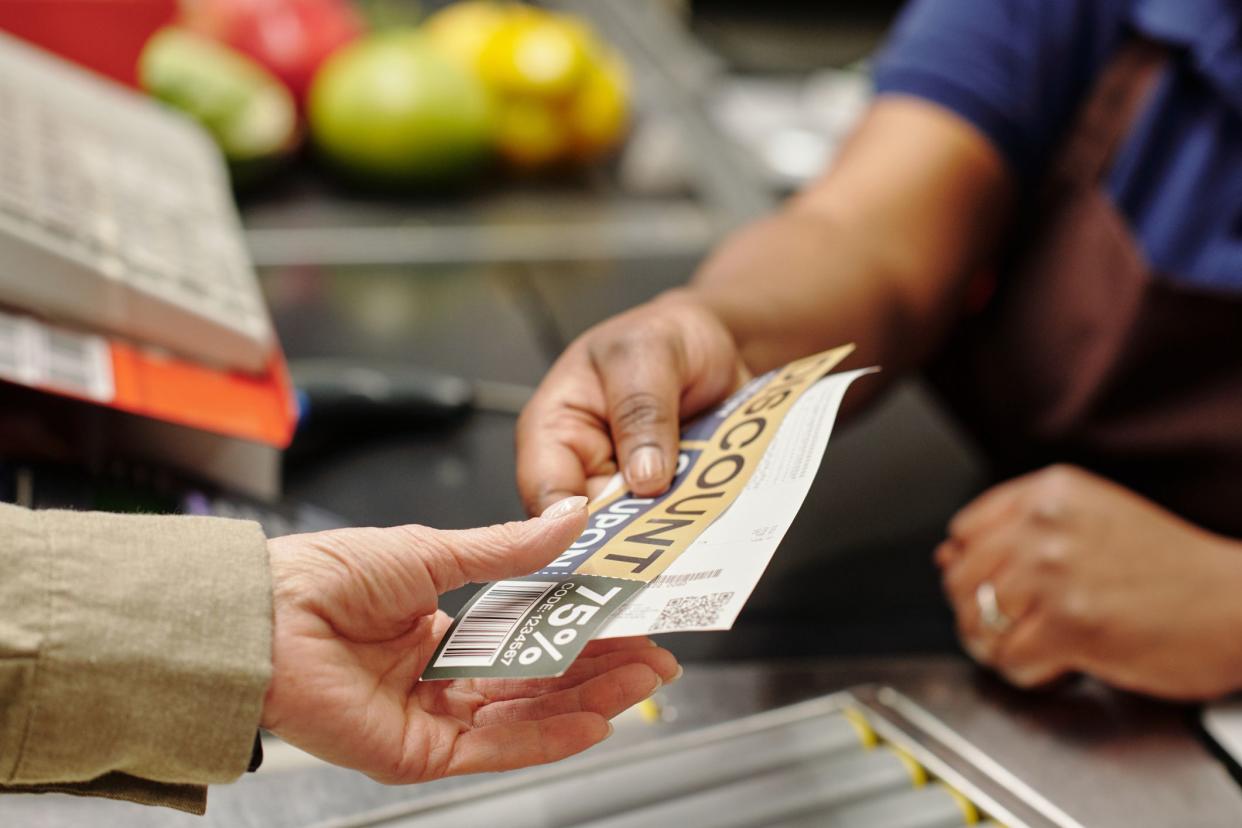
<point x="505" y="551"/>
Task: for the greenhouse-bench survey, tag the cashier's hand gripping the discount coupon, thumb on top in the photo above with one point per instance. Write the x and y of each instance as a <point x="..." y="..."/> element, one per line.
<point x="617" y="398"/>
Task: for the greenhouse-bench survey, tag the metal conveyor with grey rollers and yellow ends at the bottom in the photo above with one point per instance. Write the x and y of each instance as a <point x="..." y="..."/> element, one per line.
<point x="866" y="759"/>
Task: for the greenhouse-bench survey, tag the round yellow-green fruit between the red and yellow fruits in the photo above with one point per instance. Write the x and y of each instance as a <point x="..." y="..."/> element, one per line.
<point x="391" y="107"/>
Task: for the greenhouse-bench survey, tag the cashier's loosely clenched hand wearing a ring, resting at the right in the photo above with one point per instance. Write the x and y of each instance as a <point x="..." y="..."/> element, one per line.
<point x="1091" y="578"/>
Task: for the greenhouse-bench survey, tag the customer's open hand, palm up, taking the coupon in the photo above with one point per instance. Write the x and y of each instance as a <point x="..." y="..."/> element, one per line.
<point x="357" y="623"/>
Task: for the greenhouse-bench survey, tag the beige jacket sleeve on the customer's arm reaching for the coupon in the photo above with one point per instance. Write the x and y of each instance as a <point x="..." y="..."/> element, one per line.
<point x="135" y="654"/>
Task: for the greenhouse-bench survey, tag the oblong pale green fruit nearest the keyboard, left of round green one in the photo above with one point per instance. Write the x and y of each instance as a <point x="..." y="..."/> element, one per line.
<point x="247" y="110"/>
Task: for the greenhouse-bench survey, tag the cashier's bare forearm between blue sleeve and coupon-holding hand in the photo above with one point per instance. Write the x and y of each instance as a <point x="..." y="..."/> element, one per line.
<point x="879" y="253"/>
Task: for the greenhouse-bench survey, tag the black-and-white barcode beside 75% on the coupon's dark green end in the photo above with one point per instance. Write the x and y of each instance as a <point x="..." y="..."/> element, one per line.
<point x="490" y="621"/>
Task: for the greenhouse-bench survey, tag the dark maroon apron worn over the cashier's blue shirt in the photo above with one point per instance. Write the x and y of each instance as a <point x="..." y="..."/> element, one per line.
<point x="1085" y="356"/>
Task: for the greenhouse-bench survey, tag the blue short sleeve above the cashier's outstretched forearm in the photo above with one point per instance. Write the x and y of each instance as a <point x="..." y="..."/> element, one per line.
<point x="1018" y="70"/>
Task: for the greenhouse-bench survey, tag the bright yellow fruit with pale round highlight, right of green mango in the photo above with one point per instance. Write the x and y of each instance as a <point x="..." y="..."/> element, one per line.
<point x="537" y="55"/>
